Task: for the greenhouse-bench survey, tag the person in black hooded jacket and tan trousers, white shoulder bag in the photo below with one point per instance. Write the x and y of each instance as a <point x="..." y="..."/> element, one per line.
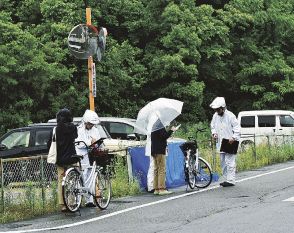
<point x="66" y="132"/>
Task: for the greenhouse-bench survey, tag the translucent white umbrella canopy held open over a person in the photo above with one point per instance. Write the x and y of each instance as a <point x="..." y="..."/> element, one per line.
<point x="161" y="112"/>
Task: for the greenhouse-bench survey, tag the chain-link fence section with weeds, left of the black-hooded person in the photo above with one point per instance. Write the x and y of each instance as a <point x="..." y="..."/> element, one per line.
<point x="28" y="183"/>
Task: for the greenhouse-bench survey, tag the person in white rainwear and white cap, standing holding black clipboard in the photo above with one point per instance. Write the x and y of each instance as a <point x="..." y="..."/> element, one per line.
<point x="224" y="125"/>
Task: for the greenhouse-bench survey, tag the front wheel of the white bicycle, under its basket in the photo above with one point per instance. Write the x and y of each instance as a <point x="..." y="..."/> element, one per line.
<point x="102" y="191"/>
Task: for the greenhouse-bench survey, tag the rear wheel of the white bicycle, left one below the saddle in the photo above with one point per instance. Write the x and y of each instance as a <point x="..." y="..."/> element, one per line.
<point x="71" y="185"/>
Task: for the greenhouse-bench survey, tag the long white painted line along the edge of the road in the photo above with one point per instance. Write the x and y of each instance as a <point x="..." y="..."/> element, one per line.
<point x="143" y="205"/>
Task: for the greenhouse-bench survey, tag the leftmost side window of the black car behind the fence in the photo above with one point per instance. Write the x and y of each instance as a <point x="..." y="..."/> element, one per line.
<point x="17" y="139"/>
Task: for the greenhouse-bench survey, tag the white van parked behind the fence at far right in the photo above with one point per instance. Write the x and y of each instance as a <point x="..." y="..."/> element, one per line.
<point x="258" y="126"/>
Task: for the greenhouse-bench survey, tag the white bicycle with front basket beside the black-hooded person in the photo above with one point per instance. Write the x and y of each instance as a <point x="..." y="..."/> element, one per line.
<point x="98" y="184"/>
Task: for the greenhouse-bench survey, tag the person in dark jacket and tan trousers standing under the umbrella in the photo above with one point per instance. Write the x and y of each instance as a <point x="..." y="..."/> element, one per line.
<point x="158" y="149"/>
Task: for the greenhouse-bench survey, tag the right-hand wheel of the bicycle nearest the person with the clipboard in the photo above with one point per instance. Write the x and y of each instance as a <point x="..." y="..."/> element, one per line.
<point x="203" y="174"/>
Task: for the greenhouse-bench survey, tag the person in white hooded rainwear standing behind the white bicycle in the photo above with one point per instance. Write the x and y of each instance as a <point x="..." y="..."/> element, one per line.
<point x="88" y="133"/>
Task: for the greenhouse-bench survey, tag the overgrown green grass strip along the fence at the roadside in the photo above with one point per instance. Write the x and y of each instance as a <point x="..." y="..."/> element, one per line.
<point x="31" y="197"/>
